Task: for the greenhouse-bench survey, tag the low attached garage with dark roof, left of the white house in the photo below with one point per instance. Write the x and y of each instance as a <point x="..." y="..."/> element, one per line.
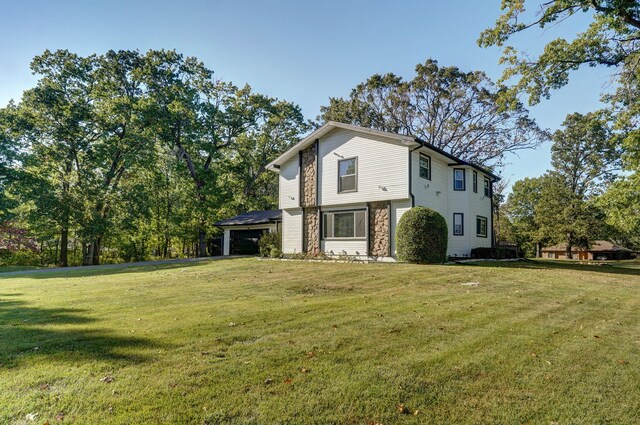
<point x="242" y="232"/>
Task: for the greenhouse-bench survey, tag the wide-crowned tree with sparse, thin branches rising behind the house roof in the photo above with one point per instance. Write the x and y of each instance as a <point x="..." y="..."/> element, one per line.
<point x="460" y="112"/>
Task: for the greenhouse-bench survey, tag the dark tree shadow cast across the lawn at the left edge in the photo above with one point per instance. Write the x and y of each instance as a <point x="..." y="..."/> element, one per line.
<point x="28" y="333"/>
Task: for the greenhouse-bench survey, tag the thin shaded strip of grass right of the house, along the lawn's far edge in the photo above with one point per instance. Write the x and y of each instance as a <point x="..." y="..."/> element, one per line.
<point x="611" y="268"/>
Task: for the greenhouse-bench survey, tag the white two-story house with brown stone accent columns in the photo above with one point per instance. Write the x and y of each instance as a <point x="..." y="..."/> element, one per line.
<point x="343" y="189"/>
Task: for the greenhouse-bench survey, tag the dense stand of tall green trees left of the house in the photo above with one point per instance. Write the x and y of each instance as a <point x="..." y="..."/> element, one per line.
<point x="135" y="156"/>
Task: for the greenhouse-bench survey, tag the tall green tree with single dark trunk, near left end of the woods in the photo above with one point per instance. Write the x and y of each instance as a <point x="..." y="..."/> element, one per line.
<point x="60" y="129"/>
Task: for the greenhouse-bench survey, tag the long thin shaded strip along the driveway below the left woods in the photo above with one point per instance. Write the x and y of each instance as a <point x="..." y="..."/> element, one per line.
<point x="110" y="269"/>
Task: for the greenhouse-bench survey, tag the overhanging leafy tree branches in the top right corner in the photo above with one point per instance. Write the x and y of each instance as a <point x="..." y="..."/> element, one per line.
<point x="611" y="39"/>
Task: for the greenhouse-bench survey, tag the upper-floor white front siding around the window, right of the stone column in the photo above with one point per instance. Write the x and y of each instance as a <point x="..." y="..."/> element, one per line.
<point x="382" y="168"/>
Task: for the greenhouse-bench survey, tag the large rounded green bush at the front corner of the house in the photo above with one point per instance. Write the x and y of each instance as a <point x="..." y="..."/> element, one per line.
<point x="422" y="236"/>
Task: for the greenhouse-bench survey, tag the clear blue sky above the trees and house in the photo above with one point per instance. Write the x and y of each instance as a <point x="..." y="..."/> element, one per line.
<point x="300" y="51"/>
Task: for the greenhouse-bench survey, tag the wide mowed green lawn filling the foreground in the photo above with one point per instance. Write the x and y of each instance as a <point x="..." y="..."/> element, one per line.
<point x="248" y="341"/>
